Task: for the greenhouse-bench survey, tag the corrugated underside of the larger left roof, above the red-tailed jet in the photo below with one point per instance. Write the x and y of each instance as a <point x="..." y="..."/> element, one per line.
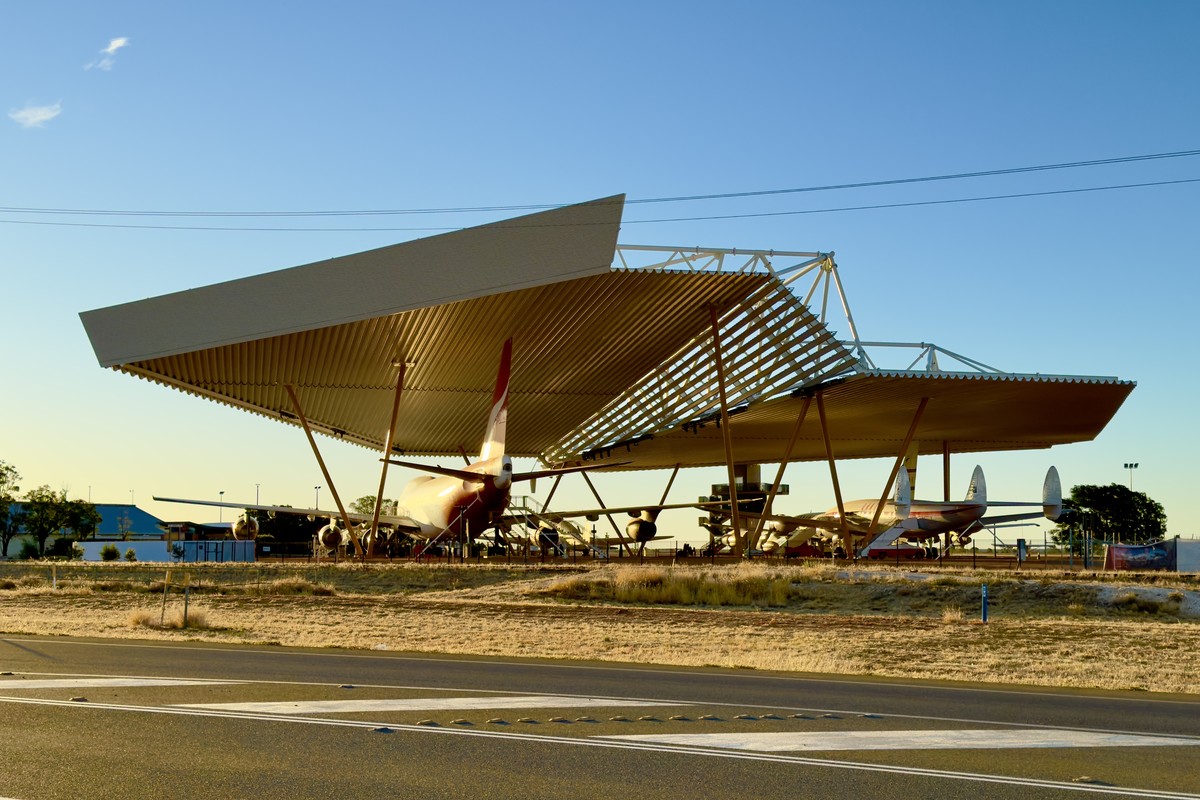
<point x="578" y="346"/>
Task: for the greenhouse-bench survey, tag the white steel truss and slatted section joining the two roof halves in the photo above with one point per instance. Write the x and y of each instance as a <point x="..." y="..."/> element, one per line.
<point x="777" y="344"/>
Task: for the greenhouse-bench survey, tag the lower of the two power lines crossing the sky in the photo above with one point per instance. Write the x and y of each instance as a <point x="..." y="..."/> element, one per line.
<point x="698" y="219"/>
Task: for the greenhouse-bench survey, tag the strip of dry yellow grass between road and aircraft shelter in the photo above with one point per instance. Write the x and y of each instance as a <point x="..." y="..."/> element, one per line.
<point x="1045" y="633"/>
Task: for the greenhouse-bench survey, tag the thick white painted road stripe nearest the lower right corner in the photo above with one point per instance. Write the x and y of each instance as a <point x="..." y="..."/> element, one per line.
<point x="859" y="741"/>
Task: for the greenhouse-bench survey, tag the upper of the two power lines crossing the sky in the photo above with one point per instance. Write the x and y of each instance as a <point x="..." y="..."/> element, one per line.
<point x="727" y="196"/>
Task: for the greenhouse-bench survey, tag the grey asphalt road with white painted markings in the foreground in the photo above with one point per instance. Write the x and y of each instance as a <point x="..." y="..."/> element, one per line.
<point x="109" y="719"/>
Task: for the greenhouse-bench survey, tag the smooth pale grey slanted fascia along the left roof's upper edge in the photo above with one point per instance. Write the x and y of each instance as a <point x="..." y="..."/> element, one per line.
<point x="536" y="250"/>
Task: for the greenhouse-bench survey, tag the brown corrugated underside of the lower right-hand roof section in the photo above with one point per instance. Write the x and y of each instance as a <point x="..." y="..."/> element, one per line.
<point x="871" y="414"/>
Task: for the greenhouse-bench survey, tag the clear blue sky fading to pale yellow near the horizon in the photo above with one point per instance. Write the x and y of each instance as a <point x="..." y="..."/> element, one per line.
<point x="261" y="107"/>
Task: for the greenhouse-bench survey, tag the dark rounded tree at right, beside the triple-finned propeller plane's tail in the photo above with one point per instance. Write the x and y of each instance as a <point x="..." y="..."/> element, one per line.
<point x="1109" y="514"/>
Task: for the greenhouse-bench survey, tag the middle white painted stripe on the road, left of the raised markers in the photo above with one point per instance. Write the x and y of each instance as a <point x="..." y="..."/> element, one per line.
<point x="423" y="705"/>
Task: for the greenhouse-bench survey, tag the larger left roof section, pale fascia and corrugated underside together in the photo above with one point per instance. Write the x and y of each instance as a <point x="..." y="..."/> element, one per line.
<point x="337" y="332"/>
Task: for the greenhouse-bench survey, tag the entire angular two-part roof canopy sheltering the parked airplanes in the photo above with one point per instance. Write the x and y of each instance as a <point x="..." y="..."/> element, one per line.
<point x="611" y="363"/>
